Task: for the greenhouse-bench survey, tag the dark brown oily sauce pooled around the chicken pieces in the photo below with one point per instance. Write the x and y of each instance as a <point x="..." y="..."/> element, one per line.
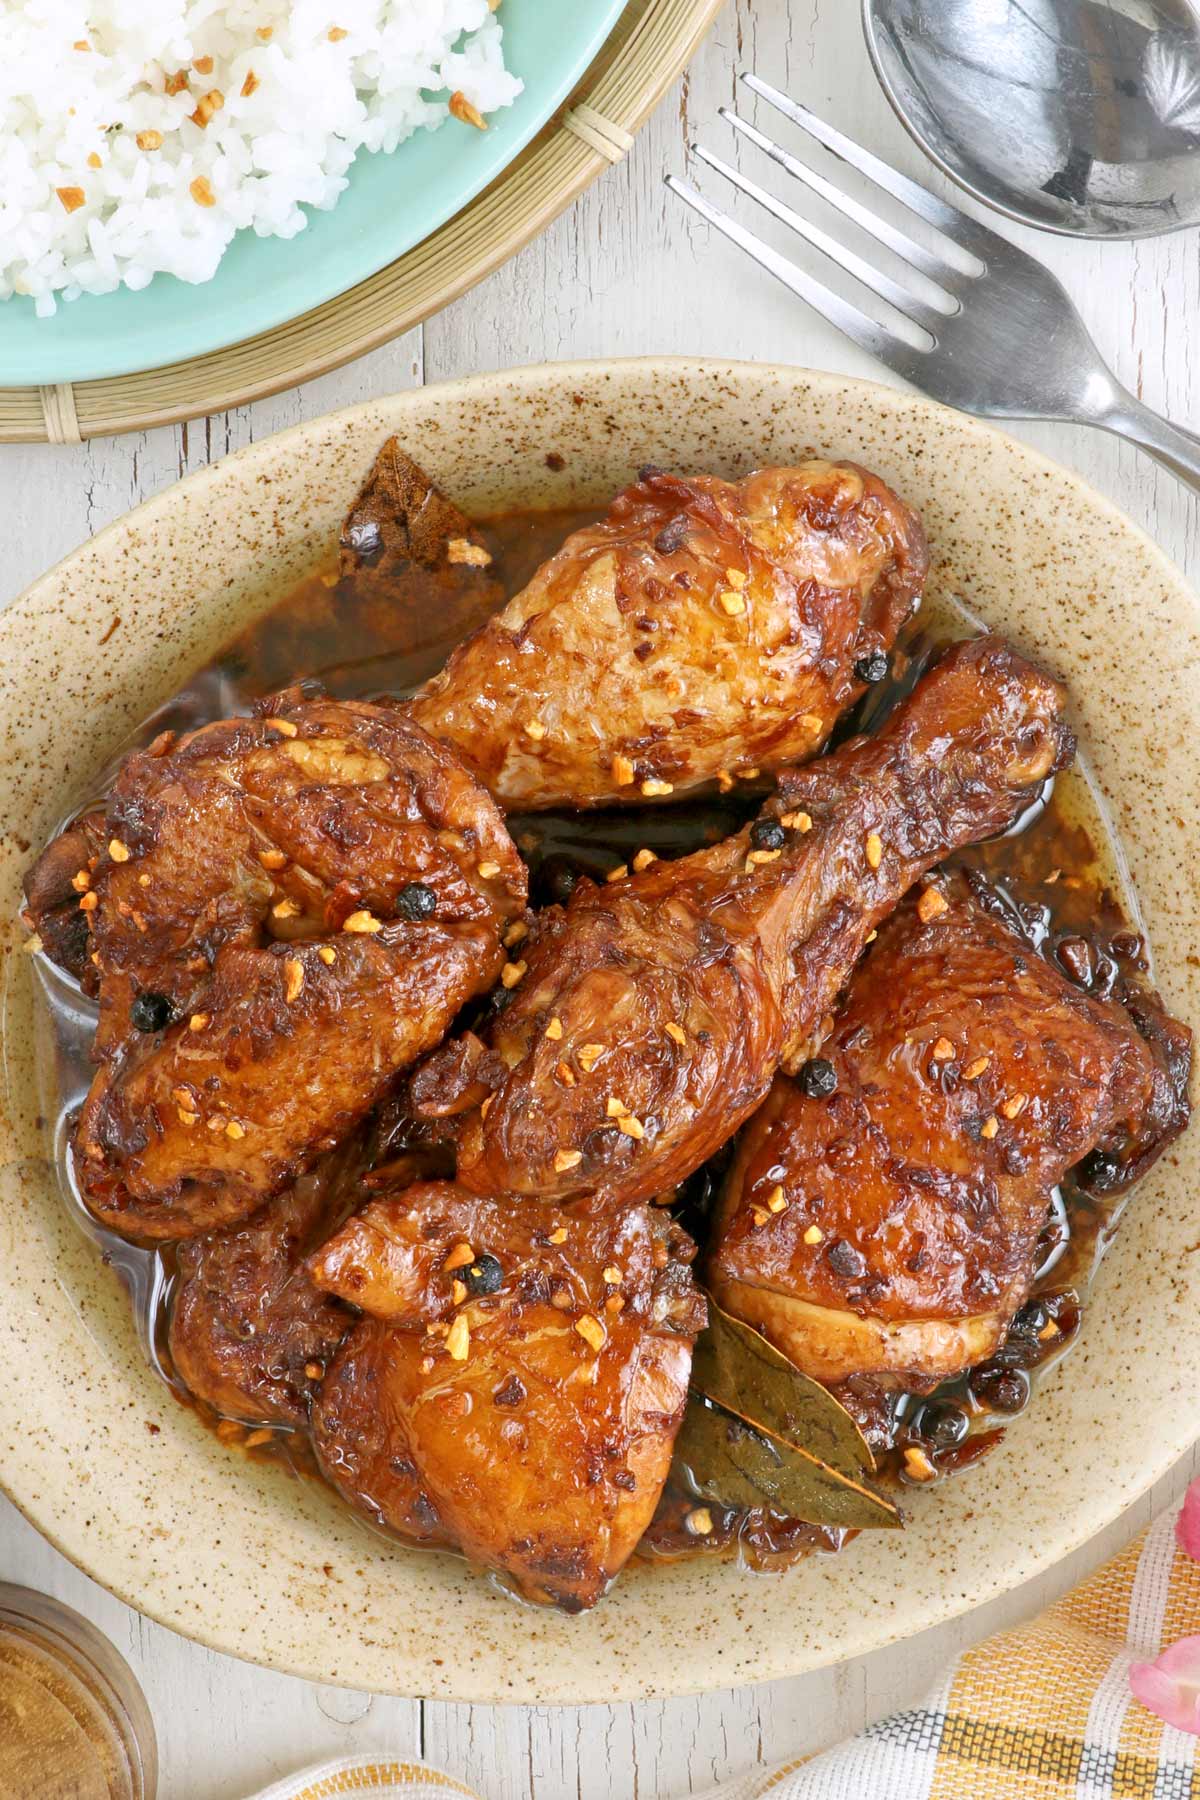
<point x="1061" y="872"/>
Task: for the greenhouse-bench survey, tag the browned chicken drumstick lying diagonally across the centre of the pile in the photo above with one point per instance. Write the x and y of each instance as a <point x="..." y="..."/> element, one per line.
<point x="658" y="1009"/>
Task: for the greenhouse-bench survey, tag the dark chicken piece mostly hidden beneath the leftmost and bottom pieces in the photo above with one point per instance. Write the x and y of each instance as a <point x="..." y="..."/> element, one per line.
<point x="251" y="1333"/>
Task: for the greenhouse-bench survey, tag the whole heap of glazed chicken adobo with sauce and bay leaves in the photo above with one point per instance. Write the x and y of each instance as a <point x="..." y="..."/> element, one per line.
<point x="407" y="1164"/>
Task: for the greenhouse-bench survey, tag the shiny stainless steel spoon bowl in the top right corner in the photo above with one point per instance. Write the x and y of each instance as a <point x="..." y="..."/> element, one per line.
<point x="1075" y="116"/>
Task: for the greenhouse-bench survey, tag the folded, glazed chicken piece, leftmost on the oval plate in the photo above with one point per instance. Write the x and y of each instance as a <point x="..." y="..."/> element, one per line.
<point x="289" y="912"/>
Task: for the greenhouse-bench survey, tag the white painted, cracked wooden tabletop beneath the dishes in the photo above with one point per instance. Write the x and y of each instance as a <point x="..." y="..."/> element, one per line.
<point x="625" y="273"/>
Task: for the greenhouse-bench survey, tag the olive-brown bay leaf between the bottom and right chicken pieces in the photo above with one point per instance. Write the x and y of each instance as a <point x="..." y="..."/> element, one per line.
<point x="775" y="1435"/>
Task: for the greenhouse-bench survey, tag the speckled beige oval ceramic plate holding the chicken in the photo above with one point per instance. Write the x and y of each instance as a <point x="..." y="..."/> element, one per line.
<point x="141" y="1495"/>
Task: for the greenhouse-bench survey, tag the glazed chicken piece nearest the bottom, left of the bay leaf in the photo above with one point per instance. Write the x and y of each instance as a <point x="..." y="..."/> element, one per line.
<point x="517" y="1383"/>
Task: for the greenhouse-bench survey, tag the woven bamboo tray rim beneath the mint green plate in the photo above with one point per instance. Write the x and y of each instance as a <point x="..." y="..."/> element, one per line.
<point x="647" y="51"/>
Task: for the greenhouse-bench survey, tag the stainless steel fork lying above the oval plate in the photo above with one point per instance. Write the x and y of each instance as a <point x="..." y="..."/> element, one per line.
<point x="983" y="327"/>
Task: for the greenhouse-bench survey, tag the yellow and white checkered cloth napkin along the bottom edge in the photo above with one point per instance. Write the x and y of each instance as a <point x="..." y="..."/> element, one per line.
<point x="1059" y="1709"/>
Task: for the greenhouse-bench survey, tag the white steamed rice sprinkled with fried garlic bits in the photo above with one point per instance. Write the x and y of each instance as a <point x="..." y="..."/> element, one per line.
<point x="296" y="89"/>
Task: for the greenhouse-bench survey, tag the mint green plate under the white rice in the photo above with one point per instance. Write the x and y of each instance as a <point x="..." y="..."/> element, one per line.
<point x="391" y="204"/>
